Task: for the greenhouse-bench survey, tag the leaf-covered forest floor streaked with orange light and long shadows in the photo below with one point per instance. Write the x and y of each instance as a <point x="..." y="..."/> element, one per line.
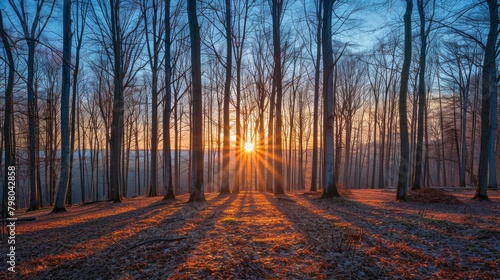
<point x="252" y="235"/>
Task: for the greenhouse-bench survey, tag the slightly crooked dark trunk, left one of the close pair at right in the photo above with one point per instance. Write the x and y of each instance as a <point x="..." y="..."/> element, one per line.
<point x="403" y="118"/>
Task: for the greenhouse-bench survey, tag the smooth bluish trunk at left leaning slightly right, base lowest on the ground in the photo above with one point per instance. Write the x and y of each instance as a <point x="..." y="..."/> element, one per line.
<point x="65" y="94"/>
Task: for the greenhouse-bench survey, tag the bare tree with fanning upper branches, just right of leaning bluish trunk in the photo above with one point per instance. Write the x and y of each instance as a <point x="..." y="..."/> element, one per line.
<point x="117" y="23"/>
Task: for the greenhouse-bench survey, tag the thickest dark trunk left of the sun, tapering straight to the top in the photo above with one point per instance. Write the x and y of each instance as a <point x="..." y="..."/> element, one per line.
<point x="197" y="192"/>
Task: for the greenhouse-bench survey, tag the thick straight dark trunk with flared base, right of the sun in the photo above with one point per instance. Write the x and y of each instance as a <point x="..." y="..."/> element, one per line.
<point x="330" y="189"/>
